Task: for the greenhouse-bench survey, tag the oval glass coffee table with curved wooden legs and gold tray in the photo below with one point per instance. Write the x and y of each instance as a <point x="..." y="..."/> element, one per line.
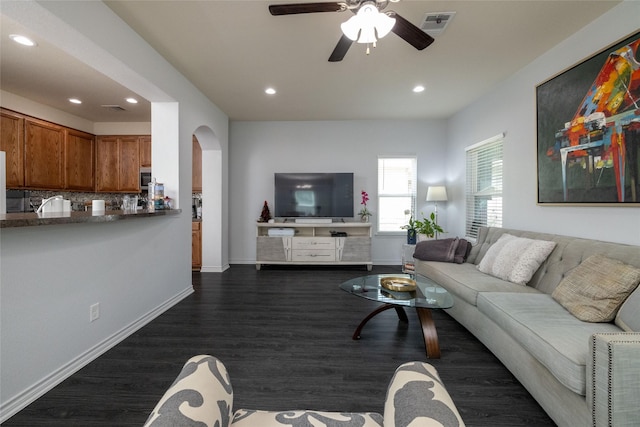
<point x="397" y="294"/>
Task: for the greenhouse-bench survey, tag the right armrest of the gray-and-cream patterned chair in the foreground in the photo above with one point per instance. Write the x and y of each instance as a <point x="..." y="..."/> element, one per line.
<point x="416" y="396"/>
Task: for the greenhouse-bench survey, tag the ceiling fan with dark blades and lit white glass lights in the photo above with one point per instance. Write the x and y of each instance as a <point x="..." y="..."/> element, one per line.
<point x="355" y="29"/>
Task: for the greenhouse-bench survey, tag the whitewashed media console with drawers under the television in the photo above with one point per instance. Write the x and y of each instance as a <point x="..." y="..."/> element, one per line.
<point x="313" y="243"/>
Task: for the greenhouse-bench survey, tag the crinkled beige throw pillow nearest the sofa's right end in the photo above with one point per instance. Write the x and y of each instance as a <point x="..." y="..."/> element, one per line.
<point x="595" y="289"/>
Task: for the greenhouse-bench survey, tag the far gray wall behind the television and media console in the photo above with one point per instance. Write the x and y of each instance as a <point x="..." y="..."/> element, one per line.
<point x="259" y="149"/>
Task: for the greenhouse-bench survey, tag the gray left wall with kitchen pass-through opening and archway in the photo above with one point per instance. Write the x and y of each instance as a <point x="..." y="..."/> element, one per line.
<point x="50" y="275"/>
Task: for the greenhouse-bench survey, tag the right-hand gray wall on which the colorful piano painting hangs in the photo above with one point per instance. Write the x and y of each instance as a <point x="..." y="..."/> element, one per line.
<point x="511" y="108"/>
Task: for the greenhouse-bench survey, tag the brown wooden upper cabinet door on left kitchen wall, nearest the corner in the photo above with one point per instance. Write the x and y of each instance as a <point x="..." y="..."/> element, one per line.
<point x="79" y="161"/>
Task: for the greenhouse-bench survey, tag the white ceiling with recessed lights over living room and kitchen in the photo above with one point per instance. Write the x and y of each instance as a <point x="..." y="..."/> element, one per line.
<point x="233" y="50"/>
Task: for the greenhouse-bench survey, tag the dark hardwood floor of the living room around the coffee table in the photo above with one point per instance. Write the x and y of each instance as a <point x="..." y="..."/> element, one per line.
<point x="285" y="336"/>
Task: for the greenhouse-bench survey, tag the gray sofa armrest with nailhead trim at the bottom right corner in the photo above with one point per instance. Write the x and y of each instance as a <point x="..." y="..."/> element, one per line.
<point x="613" y="379"/>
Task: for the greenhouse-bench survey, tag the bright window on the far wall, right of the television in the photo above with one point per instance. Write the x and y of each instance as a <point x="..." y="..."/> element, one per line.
<point x="397" y="184"/>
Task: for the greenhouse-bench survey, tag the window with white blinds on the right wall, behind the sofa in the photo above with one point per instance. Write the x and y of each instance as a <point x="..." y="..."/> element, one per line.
<point x="484" y="185"/>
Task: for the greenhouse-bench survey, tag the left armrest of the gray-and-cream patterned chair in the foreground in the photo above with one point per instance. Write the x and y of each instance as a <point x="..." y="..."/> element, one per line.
<point x="201" y="393"/>
